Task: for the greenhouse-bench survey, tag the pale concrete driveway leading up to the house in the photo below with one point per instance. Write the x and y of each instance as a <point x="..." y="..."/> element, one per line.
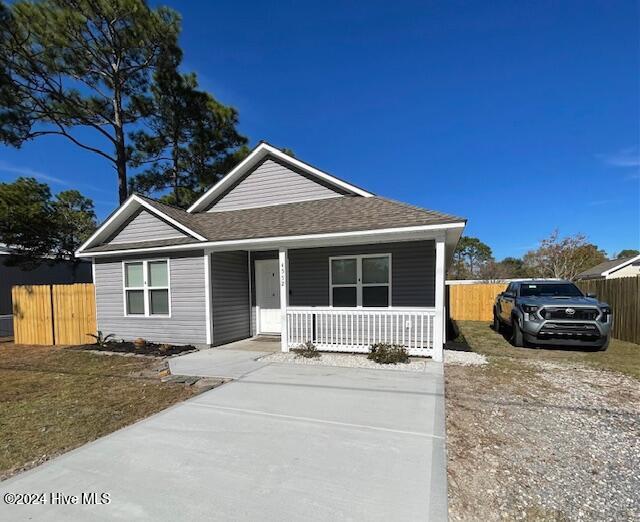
<point x="284" y="442"/>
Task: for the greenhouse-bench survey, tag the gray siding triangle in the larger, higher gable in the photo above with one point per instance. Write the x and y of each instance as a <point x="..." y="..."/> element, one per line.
<point x="269" y="184"/>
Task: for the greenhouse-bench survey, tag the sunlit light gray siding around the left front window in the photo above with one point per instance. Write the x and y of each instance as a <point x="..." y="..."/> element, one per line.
<point x="187" y="324"/>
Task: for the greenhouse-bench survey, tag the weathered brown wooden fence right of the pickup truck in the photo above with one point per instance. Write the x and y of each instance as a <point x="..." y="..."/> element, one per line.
<point x="623" y="295"/>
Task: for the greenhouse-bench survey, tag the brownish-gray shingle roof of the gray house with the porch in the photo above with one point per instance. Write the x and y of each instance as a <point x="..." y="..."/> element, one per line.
<point x="333" y="215"/>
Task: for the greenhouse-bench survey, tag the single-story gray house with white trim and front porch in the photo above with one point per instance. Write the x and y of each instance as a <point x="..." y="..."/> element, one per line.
<point x="276" y="247"/>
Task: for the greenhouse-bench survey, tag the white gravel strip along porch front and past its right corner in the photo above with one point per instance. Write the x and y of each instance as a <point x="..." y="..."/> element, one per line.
<point x="349" y="360"/>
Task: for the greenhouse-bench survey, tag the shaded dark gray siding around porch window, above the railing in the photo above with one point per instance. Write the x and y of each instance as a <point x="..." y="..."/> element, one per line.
<point x="412" y="277"/>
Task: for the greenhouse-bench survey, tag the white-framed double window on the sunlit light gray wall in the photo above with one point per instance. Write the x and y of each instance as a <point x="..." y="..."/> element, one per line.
<point x="146" y="288"/>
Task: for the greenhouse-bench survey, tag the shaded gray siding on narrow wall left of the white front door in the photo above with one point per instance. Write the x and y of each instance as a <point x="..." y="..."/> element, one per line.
<point x="230" y="284"/>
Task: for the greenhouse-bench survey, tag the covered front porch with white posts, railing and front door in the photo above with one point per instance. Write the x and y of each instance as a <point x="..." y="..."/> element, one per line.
<point x="341" y="297"/>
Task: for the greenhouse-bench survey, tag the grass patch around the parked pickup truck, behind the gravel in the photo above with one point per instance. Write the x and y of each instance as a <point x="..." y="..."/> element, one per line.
<point x="621" y="356"/>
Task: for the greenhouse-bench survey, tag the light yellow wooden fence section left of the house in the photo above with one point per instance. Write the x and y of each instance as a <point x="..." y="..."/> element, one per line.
<point x="53" y="314"/>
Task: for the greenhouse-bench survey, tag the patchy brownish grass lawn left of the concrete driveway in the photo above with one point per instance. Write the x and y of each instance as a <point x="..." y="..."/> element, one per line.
<point x="54" y="399"/>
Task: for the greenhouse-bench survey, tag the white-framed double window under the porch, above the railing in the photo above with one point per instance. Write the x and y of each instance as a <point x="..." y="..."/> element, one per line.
<point x="360" y="280"/>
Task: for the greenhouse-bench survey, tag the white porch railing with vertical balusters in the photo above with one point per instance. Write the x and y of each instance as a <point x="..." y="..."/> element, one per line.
<point x="356" y="329"/>
